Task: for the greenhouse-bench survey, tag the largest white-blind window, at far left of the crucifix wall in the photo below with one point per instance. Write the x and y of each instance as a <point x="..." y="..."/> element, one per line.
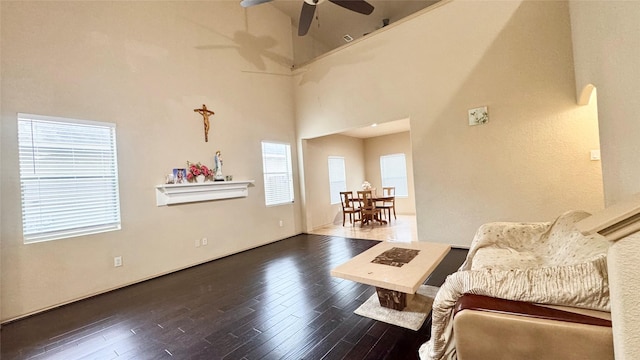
<point x="68" y="177"/>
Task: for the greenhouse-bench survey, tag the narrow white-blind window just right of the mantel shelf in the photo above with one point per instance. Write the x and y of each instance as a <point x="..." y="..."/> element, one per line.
<point x="278" y="174"/>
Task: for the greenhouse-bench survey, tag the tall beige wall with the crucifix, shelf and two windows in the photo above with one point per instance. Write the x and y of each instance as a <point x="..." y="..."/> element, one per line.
<point x="144" y="66"/>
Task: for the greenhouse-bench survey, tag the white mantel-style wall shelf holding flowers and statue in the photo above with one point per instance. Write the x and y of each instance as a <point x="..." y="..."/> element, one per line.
<point x="170" y="194"/>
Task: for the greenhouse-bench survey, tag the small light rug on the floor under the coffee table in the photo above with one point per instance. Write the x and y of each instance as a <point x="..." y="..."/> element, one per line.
<point x="412" y="317"/>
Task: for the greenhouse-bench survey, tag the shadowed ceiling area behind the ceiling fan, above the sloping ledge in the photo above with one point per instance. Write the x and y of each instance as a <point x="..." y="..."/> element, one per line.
<point x="332" y="22"/>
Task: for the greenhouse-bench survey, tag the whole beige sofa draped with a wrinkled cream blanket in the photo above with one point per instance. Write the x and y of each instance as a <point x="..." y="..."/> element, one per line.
<point x="513" y="267"/>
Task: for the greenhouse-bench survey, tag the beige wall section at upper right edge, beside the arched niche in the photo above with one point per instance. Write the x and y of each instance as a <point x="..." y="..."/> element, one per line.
<point x="606" y="42"/>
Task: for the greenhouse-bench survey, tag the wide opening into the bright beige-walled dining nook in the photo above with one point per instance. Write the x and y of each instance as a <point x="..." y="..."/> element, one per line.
<point x="361" y="150"/>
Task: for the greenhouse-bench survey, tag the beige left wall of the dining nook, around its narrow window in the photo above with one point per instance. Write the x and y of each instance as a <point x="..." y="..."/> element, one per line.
<point x="317" y="151"/>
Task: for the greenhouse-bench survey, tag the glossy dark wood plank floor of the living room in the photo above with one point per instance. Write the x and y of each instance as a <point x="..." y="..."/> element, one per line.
<point x="274" y="302"/>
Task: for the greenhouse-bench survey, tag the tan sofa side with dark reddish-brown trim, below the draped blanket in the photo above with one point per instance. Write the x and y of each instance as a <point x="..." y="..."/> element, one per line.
<point x="500" y="332"/>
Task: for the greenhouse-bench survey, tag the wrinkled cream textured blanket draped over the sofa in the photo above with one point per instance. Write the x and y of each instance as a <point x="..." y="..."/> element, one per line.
<point x="546" y="263"/>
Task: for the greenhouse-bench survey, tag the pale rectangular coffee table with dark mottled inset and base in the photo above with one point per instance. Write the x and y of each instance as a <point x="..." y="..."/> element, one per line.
<point x="396" y="269"/>
